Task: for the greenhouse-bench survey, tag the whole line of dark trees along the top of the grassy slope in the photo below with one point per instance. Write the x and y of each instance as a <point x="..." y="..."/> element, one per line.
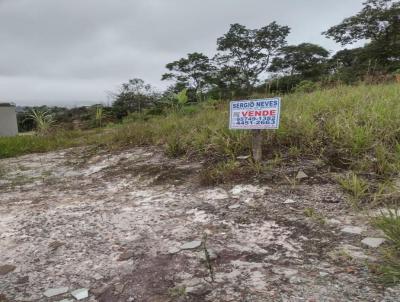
<point x="249" y="61"/>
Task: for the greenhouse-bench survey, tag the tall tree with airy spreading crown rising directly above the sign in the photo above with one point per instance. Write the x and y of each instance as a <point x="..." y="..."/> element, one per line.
<point x="250" y="51"/>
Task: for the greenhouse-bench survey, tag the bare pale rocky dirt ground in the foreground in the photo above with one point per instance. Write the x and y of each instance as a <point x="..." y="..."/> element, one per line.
<point x="116" y="225"/>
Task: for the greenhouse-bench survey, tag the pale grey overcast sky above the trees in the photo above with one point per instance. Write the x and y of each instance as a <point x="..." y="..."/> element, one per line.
<point x="71" y="52"/>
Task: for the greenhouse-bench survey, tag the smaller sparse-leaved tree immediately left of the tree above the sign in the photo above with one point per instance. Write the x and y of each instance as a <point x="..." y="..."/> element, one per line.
<point x="194" y="71"/>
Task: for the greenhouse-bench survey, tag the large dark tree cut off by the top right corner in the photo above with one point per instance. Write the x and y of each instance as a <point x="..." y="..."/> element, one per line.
<point x="378" y="23"/>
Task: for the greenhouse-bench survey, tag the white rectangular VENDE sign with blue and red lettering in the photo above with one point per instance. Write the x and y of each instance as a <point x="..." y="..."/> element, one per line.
<point x="255" y="114"/>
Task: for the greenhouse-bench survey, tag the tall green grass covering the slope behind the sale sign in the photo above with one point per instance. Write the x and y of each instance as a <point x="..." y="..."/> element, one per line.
<point x="356" y="127"/>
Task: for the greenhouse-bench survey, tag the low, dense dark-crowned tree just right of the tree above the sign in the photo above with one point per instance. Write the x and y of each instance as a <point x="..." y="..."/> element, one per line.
<point x="306" y="59"/>
